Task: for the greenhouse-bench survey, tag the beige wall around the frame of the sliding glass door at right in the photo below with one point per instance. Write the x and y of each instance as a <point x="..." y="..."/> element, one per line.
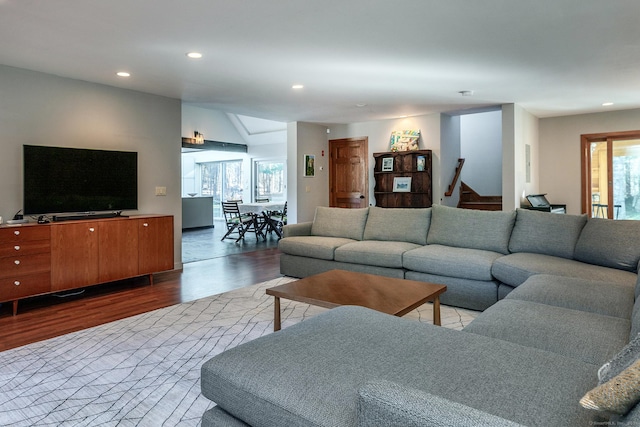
<point x="560" y="151"/>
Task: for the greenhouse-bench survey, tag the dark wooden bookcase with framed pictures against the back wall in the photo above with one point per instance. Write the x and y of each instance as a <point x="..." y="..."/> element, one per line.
<point x="413" y="168"/>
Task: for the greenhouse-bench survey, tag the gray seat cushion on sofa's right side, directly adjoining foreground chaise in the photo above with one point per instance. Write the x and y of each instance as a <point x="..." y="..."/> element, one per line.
<point x="588" y="337"/>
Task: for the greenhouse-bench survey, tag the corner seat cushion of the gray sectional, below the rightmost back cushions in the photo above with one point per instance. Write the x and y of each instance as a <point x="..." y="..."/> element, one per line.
<point x="514" y="269"/>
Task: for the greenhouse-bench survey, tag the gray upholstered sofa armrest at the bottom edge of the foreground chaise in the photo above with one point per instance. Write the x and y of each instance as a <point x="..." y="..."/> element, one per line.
<point x="390" y="404"/>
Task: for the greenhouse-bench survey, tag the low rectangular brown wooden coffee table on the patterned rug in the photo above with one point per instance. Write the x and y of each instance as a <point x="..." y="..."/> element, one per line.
<point x="338" y="287"/>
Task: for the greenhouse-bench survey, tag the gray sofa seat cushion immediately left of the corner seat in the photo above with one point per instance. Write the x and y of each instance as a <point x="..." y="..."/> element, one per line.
<point x="450" y="261"/>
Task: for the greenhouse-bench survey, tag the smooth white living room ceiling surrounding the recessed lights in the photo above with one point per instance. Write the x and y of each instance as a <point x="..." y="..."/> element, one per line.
<point x="358" y="60"/>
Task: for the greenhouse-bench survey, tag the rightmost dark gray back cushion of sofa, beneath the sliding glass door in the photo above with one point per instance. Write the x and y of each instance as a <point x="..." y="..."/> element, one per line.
<point x="610" y="243"/>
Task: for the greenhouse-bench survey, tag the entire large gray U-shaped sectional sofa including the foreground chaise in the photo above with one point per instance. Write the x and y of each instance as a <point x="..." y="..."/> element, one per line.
<point x="559" y="294"/>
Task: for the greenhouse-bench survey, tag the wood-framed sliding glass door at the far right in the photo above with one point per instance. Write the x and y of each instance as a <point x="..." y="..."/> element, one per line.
<point x="611" y="175"/>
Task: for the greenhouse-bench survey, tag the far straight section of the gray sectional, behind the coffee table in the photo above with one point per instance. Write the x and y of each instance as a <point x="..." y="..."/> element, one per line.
<point x="480" y="255"/>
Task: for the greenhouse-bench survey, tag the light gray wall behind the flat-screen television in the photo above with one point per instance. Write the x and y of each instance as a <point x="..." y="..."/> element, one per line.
<point x="42" y="109"/>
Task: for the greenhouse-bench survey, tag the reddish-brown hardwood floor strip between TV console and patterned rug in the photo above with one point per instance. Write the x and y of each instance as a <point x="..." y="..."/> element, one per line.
<point x="49" y="316"/>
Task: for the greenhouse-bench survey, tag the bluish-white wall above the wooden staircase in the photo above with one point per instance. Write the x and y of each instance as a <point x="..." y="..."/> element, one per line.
<point x="481" y="147"/>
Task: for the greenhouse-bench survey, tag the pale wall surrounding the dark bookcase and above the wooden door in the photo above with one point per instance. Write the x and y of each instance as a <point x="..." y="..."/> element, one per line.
<point x="379" y="133"/>
